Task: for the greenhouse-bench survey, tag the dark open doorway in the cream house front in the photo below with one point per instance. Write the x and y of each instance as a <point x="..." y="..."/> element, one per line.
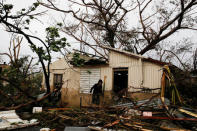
<point x="120" y="82"/>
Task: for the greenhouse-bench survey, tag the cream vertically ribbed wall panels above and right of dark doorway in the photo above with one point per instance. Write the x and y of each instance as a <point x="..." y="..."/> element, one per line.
<point x="144" y="74"/>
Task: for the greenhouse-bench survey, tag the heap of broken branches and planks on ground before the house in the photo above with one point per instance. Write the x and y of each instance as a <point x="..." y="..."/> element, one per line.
<point x="146" y="117"/>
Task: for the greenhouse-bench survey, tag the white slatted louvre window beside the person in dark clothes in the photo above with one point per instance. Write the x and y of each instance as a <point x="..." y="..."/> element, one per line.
<point x="88" y="77"/>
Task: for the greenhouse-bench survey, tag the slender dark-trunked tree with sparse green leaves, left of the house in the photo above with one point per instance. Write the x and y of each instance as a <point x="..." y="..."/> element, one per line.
<point x="18" y="23"/>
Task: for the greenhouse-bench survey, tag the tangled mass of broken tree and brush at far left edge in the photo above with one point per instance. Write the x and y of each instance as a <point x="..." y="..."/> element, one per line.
<point x="19" y="82"/>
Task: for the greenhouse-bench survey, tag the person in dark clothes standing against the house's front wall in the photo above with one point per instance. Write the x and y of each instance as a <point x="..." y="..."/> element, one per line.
<point x="97" y="91"/>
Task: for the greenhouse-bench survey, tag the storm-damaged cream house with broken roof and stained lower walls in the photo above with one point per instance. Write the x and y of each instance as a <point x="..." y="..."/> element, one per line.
<point x="139" y="77"/>
